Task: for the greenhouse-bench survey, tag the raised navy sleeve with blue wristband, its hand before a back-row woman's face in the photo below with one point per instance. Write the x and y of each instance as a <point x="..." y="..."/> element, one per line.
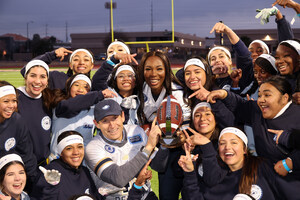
<point x="99" y="80"/>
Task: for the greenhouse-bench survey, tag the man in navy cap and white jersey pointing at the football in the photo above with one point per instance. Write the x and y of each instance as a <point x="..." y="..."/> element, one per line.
<point x="118" y="152"/>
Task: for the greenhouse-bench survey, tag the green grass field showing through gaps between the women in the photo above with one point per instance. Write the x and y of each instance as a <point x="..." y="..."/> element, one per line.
<point x="14" y="77"/>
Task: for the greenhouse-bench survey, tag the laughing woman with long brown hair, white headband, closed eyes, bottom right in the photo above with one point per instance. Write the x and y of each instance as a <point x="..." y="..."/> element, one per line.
<point x="240" y="172"/>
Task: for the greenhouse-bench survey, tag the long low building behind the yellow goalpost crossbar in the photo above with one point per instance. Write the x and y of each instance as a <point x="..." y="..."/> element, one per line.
<point x="185" y="45"/>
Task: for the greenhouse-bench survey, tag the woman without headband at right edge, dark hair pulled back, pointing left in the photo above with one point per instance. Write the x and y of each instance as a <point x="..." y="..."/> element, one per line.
<point x="273" y="110"/>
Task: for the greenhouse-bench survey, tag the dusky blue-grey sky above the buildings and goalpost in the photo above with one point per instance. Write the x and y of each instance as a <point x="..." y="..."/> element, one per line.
<point x="90" y="16"/>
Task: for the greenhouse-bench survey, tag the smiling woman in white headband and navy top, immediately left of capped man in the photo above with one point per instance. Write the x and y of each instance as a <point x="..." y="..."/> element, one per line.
<point x="71" y="151"/>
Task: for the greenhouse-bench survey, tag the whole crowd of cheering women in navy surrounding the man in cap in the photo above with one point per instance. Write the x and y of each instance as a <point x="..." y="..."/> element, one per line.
<point x="226" y="117"/>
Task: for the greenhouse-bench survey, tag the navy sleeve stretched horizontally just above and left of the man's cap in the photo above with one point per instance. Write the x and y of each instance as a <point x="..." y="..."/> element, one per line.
<point x="72" y="106"/>
